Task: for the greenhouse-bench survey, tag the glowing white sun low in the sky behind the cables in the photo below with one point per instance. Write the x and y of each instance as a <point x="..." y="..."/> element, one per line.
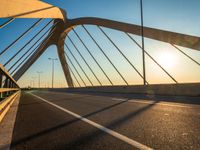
<point x="166" y="60"/>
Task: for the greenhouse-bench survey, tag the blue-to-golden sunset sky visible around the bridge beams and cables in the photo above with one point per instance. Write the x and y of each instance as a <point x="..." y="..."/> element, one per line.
<point x="173" y="15"/>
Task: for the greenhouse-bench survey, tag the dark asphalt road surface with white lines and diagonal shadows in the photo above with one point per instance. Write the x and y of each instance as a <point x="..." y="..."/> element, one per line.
<point x="58" y="120"/>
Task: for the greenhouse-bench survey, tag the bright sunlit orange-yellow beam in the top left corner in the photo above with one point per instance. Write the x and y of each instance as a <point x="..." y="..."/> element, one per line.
<point x="29" y="9"/>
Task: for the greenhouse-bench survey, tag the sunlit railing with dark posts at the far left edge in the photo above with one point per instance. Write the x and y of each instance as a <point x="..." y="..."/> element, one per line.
<point x="8" y="85"/>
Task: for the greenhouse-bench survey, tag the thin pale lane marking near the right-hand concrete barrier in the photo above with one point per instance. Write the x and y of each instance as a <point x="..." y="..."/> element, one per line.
<point x="151" y="102"/>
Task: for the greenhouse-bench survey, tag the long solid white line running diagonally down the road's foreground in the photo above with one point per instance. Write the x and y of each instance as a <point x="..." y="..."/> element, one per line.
<point x="104" y="129"/>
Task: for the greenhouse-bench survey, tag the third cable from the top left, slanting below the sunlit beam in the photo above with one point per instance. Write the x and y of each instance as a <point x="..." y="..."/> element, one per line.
<point x="27" y="44"/>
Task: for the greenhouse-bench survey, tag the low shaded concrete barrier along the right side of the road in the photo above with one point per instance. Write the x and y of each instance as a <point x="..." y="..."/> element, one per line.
<point x="191" y="89"/>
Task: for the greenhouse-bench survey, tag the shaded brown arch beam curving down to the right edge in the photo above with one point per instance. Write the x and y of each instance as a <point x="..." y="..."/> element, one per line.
<point x="179" y="39"/>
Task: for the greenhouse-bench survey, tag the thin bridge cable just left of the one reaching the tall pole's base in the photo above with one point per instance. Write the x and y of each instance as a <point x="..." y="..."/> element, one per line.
<point x="106" y="56"/>
